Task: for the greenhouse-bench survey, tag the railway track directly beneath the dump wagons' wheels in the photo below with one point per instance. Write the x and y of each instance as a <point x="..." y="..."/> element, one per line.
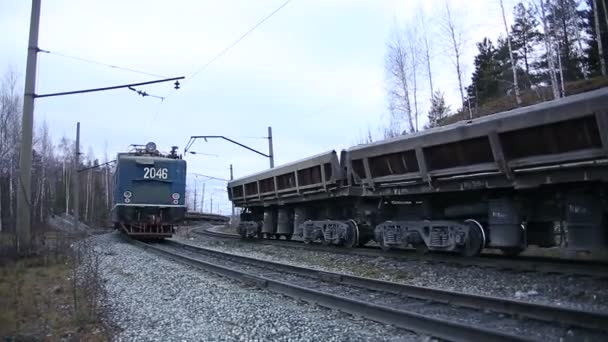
<point x="522" y="263"/>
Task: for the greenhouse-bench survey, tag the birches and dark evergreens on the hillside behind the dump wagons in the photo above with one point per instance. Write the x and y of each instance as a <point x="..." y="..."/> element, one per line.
<point x="548" y="50"/>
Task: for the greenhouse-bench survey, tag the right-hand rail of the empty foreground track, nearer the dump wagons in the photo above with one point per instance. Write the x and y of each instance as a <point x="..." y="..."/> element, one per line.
<point x="547" y="313"/>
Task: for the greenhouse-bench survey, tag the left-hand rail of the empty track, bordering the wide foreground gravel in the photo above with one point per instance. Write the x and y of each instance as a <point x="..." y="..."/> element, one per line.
<point x="403" y="319"/>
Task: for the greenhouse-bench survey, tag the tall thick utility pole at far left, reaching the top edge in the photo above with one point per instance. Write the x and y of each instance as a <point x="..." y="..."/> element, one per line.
<point x="24" y="191"/>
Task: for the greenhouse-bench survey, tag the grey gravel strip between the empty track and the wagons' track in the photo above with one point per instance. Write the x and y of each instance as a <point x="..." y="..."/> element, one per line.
<point x="583" y="293"/>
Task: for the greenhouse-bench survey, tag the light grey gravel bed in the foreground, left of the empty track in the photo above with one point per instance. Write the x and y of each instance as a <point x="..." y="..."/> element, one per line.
<point x="149" y="298"/>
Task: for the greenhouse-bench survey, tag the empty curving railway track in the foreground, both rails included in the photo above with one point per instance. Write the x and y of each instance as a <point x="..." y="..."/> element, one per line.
<point x="443" y="314"/>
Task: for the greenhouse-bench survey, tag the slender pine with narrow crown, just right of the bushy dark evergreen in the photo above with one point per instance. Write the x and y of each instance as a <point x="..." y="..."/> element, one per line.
<point x="525" y="37"/>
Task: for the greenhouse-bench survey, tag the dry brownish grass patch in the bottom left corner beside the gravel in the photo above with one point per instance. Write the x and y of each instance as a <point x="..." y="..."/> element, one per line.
<point x="41" y="300"/>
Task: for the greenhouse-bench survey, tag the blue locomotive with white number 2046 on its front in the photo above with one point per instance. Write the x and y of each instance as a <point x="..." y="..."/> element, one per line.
<point x="149" y="192"/>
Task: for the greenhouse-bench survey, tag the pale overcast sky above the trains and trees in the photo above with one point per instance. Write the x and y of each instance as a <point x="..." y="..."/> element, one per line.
<point x="314" y="72"/>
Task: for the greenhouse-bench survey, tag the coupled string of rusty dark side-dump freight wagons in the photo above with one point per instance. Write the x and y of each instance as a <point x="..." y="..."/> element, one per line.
<point x="530" y="176"/>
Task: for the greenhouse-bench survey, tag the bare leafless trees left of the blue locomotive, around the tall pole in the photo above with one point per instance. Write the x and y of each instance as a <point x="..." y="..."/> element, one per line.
<point x="52" y="170"/>
